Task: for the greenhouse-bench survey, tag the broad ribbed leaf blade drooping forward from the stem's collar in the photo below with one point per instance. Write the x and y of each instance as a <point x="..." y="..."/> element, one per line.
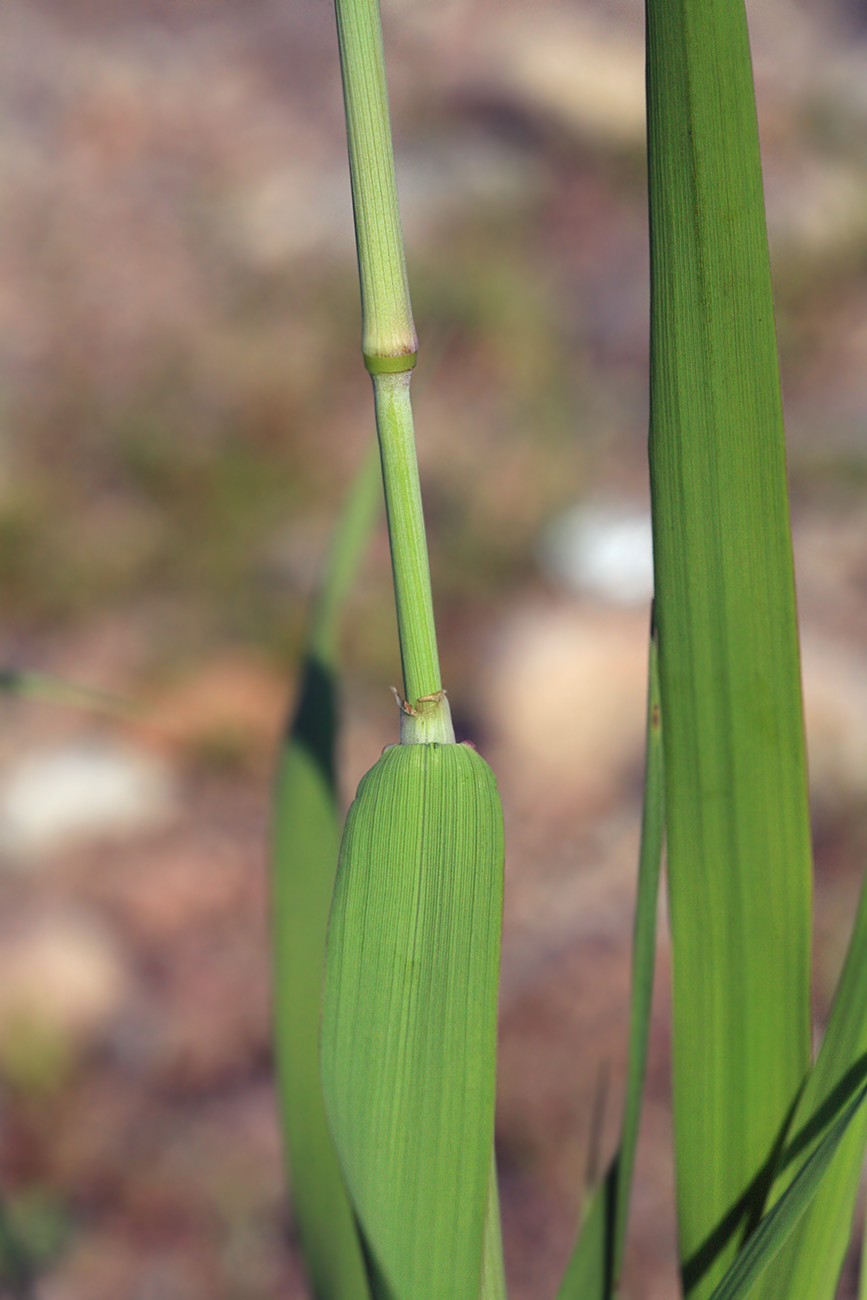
<point x="410" y="1016"/>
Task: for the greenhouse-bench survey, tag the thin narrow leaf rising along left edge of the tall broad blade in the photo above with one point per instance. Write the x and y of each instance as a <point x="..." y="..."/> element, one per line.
<point x="593" y="1272"/>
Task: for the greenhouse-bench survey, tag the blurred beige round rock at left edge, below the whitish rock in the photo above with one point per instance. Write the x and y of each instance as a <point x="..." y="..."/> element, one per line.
<point x="63" y="982"/>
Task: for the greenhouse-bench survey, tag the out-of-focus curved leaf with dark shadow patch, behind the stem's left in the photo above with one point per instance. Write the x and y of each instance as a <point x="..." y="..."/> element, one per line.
<point x="306" y="844"/>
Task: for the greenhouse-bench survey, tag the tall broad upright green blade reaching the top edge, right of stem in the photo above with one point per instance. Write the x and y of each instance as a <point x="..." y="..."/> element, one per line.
<point x="736" y="809"/>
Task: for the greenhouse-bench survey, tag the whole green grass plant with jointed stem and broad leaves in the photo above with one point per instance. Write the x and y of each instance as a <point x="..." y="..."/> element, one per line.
<point x="392" y="1151"/>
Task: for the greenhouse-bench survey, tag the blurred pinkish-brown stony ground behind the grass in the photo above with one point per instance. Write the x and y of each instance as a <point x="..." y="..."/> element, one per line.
<point x="183" y="408"/>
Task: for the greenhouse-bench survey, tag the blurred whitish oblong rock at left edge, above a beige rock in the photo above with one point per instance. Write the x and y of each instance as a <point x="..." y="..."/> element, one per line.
<point x="59" y="798"/>
